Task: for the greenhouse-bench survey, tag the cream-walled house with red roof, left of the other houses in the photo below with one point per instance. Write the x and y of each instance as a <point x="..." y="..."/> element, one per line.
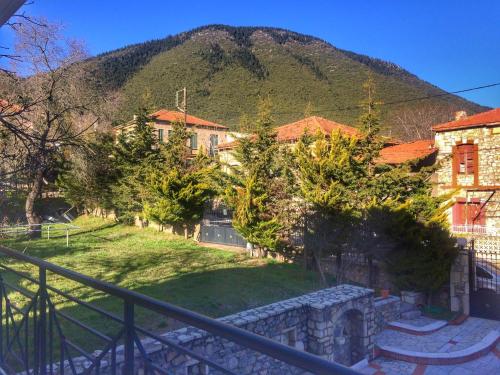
<point x="204" y="134"/>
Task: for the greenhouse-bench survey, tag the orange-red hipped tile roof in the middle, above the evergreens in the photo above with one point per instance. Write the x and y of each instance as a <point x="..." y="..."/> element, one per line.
<point x="295" y="130"/>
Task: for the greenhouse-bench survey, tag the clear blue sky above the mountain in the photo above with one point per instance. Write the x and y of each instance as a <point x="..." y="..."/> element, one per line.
<point x="452" y="44"/>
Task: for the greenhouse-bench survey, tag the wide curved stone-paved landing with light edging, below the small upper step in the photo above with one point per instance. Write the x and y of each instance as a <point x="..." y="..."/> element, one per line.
<point x="448" y="339"/>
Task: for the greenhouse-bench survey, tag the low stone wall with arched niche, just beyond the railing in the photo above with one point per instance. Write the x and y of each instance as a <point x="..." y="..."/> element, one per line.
<point x="337" y="324"/>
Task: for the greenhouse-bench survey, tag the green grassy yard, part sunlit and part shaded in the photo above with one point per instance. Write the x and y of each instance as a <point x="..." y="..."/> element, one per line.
<point x="167" y="267"/>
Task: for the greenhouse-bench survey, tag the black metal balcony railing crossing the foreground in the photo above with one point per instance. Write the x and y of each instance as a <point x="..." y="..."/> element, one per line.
<point x="35" y="338"/>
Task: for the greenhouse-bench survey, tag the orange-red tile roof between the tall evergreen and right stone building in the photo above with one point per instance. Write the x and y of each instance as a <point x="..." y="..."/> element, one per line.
<point x="407" y="152"/>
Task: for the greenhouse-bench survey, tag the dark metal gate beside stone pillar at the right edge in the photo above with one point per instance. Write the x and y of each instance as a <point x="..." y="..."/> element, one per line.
<point x="484" y="282"/>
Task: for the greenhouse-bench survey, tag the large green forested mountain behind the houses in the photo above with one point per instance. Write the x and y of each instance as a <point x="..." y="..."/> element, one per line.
<point x="226" y="69"/>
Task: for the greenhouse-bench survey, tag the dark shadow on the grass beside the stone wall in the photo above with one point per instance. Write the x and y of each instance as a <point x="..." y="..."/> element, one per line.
<point x="214" y="293"/>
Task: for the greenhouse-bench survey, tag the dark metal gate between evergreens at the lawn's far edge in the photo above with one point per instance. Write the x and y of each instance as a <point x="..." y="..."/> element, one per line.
<point x="217" y="226"/>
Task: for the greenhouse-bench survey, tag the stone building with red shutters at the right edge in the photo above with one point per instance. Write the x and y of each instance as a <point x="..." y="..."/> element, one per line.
<point x="469" y="157"/>
